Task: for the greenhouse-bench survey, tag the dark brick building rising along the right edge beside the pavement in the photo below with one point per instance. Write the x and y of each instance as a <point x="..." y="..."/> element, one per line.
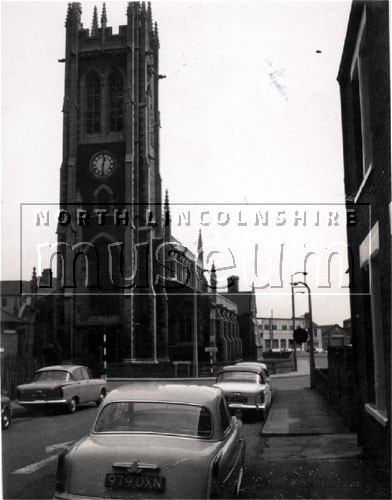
<point x="364" y="79"/>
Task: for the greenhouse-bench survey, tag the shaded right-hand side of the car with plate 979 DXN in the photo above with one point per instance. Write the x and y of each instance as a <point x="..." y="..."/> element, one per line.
<point x="232" y="450"/>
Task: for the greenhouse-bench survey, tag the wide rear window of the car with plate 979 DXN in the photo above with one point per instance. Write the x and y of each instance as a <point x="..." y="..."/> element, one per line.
<point x="155" y="417"/>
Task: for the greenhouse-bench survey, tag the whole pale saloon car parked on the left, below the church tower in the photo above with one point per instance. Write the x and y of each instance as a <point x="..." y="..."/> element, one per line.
<point x="61" y="386"/>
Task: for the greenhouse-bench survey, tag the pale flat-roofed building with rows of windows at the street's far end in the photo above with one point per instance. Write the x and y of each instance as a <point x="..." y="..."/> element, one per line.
<point x="278" y="333"/>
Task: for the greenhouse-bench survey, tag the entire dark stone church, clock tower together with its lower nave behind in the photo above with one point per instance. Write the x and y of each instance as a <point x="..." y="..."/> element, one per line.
<point x="123" y="282"/>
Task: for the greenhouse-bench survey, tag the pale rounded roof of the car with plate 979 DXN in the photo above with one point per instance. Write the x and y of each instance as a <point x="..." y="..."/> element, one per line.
<point x="201" y="395"/>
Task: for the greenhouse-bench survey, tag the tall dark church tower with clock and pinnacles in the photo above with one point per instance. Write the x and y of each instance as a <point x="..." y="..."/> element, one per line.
<point x="110" y="179"/>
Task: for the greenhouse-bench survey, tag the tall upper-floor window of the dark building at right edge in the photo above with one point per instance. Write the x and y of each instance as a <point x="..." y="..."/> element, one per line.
<point x="361" y="108"/>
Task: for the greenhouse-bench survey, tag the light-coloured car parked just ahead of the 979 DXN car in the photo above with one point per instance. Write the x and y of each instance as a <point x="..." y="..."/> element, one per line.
<point x="246" y="388"/>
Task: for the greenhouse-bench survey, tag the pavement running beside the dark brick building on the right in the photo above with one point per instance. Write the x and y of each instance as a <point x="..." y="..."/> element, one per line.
<point x="306" y="451"/>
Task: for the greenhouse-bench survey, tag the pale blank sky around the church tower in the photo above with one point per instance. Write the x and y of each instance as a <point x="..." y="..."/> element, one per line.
<point x="251" y="143"/>
